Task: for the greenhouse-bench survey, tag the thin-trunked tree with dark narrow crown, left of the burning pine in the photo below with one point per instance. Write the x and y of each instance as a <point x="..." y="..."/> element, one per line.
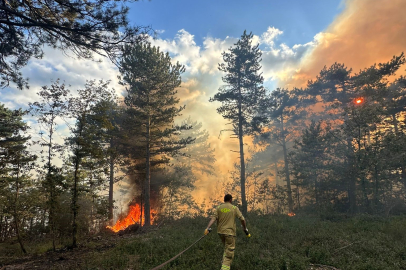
<point x="89" y="110"/>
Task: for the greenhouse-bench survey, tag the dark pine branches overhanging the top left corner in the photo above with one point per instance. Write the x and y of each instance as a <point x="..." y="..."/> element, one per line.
<point x="79" y="27"/>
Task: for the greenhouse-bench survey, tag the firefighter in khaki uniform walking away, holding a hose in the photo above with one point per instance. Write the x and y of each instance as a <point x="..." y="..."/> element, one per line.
<point x="225" y="215"/>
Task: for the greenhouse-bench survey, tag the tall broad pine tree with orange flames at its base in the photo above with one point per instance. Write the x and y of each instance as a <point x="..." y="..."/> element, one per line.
<point x="151" y="81"/>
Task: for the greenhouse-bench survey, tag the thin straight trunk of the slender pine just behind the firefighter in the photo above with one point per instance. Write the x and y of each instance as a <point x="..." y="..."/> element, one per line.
<point x="242" y="160"/>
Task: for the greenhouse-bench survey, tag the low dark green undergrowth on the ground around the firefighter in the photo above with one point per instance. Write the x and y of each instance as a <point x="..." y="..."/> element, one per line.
<point x="277" y="242"/>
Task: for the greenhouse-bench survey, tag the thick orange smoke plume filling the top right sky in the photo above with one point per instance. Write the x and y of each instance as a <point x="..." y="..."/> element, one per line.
<point x="366" y="32"/>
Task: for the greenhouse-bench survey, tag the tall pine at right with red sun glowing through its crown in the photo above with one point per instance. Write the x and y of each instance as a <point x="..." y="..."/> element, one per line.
<point x="337" y="88"/>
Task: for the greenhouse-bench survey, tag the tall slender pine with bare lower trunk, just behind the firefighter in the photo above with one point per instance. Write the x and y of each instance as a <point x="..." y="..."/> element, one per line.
<point x="241" y="95"/>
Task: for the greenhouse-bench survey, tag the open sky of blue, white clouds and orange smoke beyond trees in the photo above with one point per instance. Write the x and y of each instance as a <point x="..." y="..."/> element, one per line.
<point x="297" y="38"/>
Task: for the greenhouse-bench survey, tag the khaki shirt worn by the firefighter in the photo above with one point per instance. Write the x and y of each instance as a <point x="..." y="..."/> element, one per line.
<point x="225" y="215"/>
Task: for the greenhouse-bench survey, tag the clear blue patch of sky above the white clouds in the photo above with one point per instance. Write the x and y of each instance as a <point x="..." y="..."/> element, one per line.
<point x="299" y="20"/>
